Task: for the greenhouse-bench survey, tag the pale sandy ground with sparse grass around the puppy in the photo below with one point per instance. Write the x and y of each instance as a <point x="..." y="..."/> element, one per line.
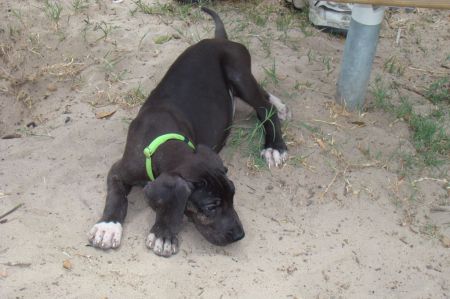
<point x="339" y="221"/>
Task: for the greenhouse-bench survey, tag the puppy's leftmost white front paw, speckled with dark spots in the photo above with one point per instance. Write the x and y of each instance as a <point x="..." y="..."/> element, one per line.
<point x="105" y="235"/>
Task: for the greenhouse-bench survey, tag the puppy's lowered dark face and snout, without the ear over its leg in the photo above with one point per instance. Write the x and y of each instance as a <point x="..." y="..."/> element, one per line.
<point x="210" y="204"/>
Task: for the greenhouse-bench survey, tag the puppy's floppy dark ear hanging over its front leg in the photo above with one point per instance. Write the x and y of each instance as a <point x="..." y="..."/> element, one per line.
<point x="167" y="190"/>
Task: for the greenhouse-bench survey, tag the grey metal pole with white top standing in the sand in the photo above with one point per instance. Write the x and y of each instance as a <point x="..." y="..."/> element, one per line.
<point x="359" y="51"/>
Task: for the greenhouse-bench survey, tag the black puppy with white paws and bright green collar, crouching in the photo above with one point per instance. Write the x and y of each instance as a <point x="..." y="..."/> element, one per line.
<point x="175" y="138"/>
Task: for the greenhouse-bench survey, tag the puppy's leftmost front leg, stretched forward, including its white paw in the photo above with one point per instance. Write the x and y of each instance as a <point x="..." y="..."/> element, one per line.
<point x="107" y="233"/>
